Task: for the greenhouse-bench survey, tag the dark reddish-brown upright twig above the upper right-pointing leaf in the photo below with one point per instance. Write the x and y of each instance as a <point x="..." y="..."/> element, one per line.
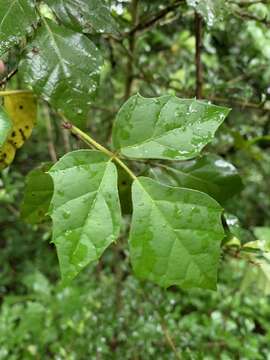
<point x="198" y="62"/>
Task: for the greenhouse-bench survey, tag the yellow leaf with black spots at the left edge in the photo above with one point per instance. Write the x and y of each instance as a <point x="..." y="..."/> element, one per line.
<point x="22" y="110"/>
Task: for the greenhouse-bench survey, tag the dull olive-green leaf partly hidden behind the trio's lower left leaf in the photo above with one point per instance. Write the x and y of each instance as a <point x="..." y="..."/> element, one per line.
<point x="37" y="195"/>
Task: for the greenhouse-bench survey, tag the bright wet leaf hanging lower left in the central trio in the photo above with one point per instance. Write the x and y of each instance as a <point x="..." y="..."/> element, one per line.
<point x="85" y="209"/>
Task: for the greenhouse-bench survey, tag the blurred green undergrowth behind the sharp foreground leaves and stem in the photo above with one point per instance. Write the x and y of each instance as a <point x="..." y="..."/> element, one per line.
<point x="106" y="313"/>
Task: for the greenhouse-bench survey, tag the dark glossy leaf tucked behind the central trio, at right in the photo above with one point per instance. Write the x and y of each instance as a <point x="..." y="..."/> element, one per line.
<point x="210" y="174"/>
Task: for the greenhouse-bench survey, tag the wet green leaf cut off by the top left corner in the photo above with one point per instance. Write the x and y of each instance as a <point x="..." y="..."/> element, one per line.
<point x="16" y="19"/>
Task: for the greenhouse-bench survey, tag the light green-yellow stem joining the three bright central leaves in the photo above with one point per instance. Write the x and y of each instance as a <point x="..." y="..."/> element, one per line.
<point x="90" y="141"/>
